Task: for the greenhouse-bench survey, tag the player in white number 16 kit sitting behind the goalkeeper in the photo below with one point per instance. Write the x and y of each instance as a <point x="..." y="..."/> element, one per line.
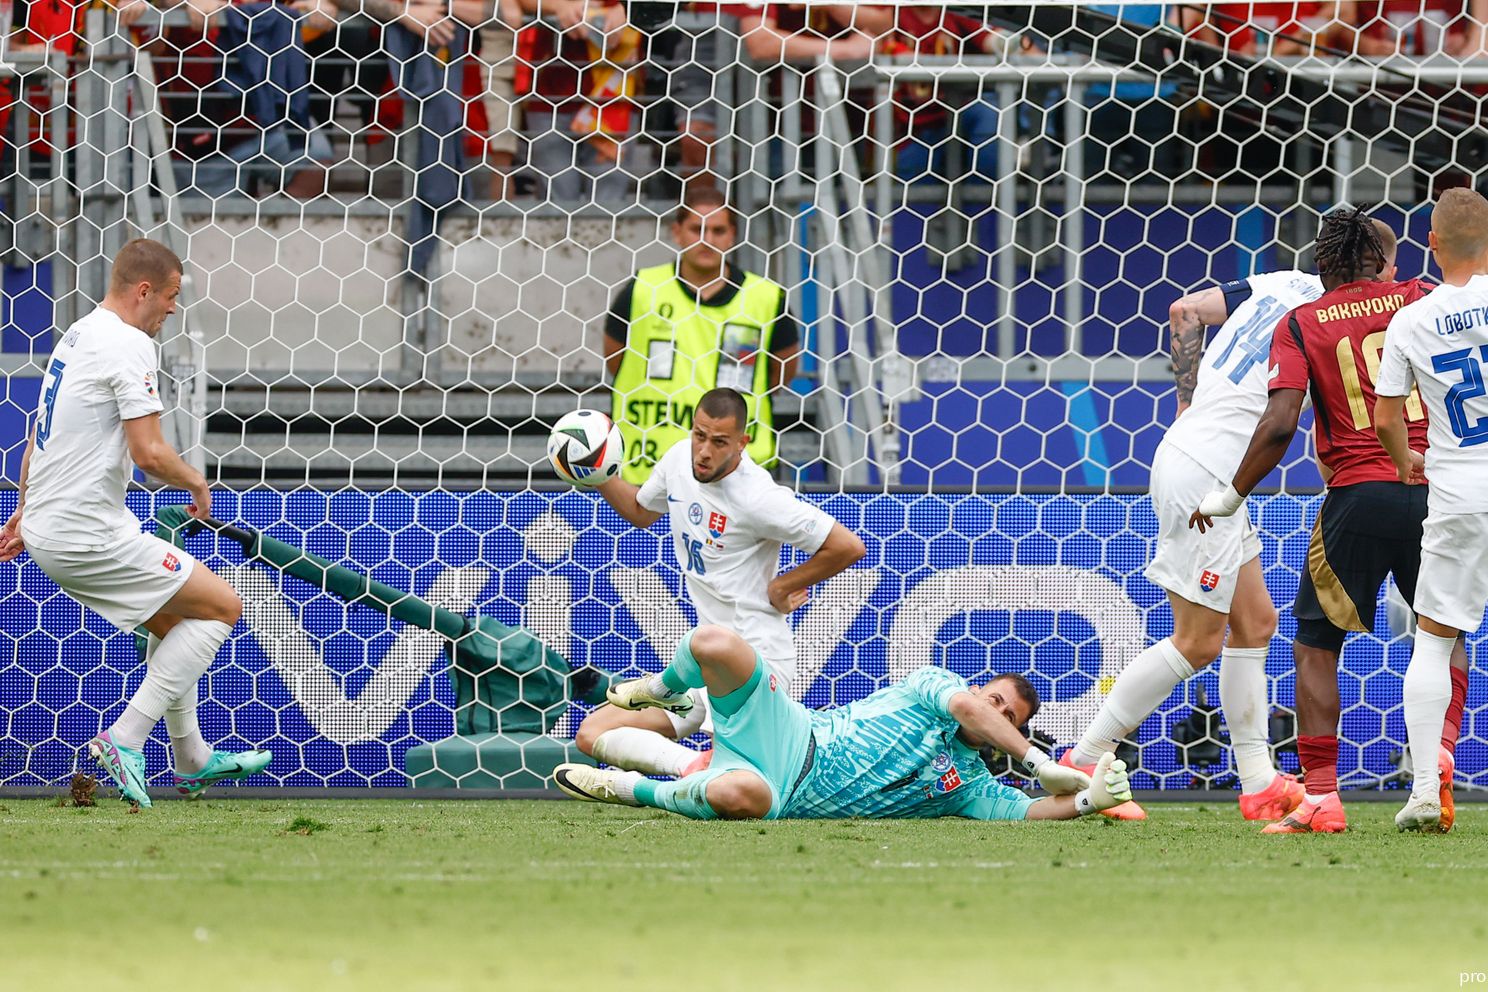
<point x="728" y="521"/>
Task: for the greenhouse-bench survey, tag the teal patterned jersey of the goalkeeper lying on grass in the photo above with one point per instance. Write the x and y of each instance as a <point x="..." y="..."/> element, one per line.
<point x="897" y="755"/>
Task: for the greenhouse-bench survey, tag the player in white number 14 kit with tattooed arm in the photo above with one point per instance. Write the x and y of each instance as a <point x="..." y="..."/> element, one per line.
<point x="1213" y="581"/>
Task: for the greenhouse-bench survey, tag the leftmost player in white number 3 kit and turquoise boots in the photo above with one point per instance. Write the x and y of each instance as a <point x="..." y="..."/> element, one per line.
<point x="97" y="419"/>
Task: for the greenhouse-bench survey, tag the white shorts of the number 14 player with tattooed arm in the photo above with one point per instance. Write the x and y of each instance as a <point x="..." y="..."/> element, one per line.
<point x="1199" y="567"/>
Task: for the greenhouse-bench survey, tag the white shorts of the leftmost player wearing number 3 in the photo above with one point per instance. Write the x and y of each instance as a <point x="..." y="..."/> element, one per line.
<point x="127" y="584"/>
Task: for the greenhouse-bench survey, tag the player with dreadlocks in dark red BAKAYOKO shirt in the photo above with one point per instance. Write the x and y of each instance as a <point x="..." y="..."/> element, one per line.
<point x="1370" y="524"/>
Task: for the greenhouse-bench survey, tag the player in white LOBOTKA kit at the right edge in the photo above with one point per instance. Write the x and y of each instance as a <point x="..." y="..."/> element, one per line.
<point x="1441" y="344"/>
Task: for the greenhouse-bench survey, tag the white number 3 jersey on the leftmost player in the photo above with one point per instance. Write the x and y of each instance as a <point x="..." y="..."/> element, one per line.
<point x="102" y="373"/>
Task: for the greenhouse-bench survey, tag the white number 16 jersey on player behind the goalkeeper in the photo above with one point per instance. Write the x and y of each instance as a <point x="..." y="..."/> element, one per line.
<point x="728" y="538"/>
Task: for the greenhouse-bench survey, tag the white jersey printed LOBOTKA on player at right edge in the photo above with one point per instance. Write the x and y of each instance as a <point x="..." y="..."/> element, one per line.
<point x="1441" y="344"/>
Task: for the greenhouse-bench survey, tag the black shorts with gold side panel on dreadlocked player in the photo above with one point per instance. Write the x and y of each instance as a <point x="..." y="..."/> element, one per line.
<point x="1362" y="535"/>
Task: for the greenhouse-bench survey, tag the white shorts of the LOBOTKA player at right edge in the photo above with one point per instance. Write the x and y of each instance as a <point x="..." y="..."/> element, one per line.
<point x="1453" y="585"/>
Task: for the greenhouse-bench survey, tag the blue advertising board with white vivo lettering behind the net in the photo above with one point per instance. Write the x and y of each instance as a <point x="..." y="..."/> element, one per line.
<point x="1044" y="585"/>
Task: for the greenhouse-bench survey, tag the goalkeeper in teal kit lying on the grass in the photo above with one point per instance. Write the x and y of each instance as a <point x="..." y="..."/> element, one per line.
<point x="908" y="750"/>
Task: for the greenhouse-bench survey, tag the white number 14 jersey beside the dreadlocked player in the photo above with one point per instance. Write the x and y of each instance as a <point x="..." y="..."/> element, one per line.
<point x="1231" y="392"/>
